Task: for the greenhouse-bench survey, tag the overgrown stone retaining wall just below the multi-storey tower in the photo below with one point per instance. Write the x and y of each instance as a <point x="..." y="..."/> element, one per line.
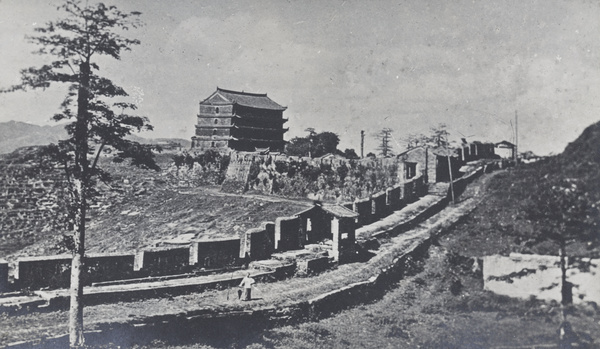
<point x="326" y="179"/>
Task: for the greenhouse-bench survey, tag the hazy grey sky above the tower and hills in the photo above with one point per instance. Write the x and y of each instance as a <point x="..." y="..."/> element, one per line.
<point x="347" y="66"/>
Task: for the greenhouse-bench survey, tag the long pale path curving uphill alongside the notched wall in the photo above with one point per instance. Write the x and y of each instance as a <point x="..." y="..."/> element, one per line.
<point x="188" y="303"/>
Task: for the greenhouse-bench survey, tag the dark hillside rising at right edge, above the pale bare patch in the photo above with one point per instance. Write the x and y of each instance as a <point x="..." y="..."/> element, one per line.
<point x="500" y="223"/>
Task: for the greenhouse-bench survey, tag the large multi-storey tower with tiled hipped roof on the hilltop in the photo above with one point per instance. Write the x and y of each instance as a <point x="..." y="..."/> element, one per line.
<point x="239" y="121"/>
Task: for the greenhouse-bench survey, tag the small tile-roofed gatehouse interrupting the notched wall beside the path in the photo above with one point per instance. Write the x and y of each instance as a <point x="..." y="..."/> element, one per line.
<point x="331" y="222"/>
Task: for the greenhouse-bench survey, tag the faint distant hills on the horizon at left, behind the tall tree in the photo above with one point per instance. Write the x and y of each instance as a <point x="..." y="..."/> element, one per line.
<point x="16" y="134"/>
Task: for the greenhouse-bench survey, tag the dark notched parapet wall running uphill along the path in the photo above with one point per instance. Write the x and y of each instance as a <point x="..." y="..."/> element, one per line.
<point x="258" y="243"/>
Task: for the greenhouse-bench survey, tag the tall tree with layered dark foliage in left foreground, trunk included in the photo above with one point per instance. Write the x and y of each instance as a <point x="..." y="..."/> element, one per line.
<point x="72" y="42"/>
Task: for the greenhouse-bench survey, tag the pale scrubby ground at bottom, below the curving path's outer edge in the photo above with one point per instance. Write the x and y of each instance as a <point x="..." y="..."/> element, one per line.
<point x="440" y="304"/>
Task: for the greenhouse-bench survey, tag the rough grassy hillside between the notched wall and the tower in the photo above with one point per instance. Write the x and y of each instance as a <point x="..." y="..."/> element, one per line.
<point x="137" y="209"/>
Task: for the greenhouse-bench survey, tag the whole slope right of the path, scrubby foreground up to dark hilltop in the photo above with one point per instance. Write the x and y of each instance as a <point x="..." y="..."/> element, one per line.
<point x="423" y="312"/>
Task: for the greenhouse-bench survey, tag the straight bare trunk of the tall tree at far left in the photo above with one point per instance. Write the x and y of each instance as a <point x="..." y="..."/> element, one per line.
<point x="79" y="190"/>
